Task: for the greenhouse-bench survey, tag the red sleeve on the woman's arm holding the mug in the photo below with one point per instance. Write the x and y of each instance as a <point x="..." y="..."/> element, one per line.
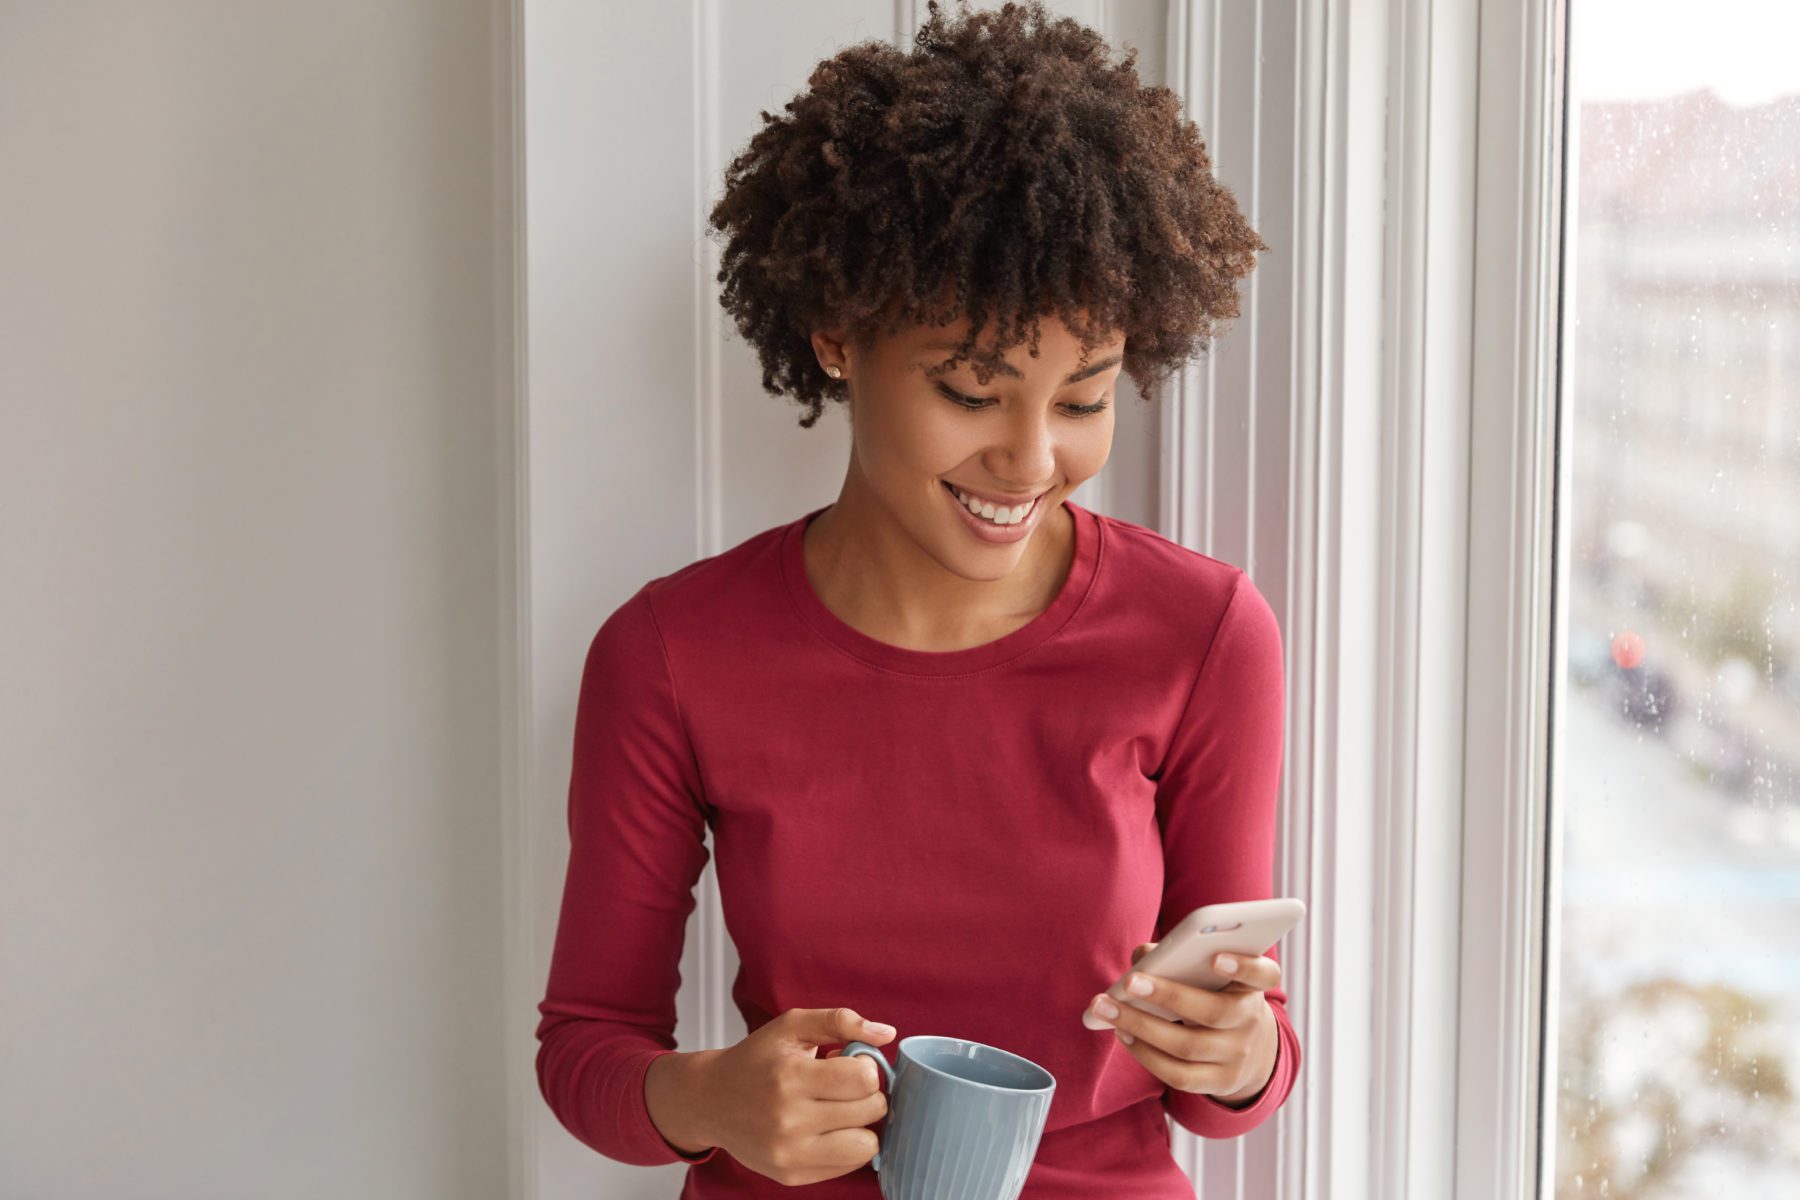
<point x="636" y="850"/>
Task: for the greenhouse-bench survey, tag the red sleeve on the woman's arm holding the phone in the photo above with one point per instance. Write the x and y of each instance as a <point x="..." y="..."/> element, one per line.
<point x="1216" y="805"/>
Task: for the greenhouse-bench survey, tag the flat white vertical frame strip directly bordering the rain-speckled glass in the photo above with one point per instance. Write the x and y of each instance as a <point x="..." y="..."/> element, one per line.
<point x="1515" y="609"/>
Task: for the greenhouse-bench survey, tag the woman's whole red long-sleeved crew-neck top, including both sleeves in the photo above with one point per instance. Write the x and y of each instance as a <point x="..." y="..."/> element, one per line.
<point x="957" y="843"/>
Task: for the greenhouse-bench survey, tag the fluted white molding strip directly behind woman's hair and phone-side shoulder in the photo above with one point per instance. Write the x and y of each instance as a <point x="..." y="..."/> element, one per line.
<point x="1236" y="438"/>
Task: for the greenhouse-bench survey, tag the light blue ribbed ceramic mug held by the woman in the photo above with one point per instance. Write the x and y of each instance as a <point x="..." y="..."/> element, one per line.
<point x="964" y="1120"/>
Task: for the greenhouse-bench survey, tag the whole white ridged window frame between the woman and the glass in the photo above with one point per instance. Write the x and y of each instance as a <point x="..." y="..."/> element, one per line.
<point x="1423" y="148"/>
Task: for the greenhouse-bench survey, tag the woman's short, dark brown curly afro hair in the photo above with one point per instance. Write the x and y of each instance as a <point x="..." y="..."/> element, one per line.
<point x="1003" y="168"/>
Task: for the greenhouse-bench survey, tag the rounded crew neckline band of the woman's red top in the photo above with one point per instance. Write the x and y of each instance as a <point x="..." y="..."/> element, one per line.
<point x="1090" y="533"/>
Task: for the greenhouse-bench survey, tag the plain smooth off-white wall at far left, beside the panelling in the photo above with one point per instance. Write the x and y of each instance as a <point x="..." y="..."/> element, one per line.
<point x="249" y="769"/>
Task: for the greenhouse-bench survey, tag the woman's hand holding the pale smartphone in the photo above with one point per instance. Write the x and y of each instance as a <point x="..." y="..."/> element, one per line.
<point x="1225" y="1043"/>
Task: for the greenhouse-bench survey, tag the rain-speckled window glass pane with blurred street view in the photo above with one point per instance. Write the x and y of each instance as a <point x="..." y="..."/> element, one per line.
<point x="1677" y="1026"/>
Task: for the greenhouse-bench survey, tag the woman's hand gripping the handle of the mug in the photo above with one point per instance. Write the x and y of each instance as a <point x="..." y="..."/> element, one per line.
<point x="787" y="1115"/>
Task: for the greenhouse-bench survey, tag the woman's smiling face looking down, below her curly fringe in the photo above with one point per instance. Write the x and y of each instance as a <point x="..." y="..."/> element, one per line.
<point x="921" y="429"/>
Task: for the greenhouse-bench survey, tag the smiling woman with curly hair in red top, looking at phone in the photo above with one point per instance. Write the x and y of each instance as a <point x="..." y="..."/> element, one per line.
<point x="962" y="742"/>
